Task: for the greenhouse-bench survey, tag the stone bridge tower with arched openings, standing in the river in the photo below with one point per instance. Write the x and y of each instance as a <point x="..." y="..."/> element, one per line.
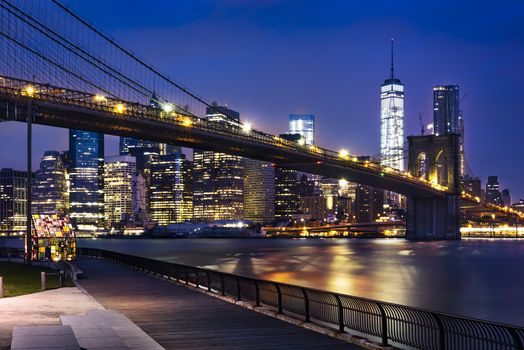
<point x="435" y="158"/>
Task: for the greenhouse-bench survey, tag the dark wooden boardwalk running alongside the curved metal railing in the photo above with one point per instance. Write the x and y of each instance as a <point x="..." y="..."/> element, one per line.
<point x="179" y="318"/>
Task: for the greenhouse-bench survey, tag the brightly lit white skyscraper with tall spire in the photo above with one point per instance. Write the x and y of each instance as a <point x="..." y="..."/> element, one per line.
<point x="392" y="120"/>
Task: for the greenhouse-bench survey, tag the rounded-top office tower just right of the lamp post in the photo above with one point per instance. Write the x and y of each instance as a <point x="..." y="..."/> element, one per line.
<point x="50" y="186"/>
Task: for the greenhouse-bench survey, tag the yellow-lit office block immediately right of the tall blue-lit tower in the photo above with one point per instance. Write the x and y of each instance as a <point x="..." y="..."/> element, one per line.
<point x="119" y="174"/>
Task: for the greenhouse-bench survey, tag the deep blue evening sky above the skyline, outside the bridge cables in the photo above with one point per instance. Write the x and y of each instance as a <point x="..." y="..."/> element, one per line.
<point x="280" y="58"/>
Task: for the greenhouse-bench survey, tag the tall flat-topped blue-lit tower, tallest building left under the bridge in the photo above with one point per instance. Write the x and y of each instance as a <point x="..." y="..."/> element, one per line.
<point x="86" y="191"/>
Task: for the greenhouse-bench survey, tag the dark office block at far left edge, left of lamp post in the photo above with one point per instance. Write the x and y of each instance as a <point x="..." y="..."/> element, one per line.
<point x="13" y="201"/>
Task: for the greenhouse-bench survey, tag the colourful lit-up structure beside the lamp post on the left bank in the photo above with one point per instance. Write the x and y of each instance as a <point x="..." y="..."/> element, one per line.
<point x="53" y="238"/>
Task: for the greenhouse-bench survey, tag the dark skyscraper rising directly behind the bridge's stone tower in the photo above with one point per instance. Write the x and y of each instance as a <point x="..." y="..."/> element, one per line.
<point x="446" y="109"/>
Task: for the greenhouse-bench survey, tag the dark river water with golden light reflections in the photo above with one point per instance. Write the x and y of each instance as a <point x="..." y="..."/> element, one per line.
<point x="482" y="278"/>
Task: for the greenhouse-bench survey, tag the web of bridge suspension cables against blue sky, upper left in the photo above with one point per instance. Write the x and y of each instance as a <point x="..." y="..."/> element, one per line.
<point x="46" y="42"/>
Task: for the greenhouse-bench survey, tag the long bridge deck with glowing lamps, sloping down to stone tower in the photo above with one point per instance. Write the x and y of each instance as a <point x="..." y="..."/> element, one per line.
<point x="55" y="106"/>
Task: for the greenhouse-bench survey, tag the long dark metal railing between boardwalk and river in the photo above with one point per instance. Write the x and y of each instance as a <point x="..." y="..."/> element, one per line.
<point x="387" y="323"/>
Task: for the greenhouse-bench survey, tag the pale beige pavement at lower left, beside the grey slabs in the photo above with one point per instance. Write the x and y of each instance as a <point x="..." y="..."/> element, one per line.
<point x="43" y="308"/>
